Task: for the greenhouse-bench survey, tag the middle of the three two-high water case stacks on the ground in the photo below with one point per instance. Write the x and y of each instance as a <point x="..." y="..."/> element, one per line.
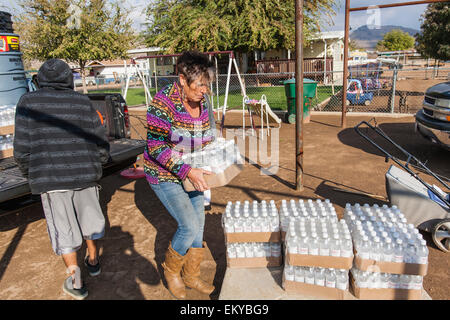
<point x="318" y="250"/>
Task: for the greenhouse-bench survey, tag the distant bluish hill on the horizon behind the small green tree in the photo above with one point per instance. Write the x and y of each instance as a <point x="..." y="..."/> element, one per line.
<point x="368" y="38"/>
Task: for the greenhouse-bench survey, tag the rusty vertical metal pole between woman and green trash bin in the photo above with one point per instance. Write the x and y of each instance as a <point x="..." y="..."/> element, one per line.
<point x="299" y="93"/>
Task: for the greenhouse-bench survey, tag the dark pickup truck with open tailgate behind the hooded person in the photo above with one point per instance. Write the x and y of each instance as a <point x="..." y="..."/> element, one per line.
<point x="14" y="188"/>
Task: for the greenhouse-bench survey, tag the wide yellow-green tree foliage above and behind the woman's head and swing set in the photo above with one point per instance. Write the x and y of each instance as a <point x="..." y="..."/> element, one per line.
<point x="242" y="25"/>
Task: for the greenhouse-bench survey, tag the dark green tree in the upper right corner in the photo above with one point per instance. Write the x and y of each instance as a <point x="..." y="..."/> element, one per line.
<point x="433" y="41"/>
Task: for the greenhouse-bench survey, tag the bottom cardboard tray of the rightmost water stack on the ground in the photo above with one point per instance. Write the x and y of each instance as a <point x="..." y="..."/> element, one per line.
<point x="384" y="294"/>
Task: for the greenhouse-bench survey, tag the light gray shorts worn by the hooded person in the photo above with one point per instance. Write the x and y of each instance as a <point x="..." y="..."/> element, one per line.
<point x="72" y="216"/>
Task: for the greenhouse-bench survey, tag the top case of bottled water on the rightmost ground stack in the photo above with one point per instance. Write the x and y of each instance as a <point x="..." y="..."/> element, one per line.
<point x="384" y="241"/>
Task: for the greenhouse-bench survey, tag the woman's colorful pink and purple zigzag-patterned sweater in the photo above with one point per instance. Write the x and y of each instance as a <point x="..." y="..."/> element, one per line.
<point x="171" y="132"/>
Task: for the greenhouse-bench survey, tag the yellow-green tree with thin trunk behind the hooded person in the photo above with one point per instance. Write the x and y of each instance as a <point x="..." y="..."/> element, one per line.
<point x="74" y="30"/>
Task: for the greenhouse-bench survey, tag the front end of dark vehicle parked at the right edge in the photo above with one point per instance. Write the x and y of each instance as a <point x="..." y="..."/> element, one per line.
<point x="433" y="120"/>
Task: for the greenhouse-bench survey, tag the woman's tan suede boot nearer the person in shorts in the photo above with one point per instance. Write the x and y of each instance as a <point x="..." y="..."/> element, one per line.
<point x="172" y="268"/>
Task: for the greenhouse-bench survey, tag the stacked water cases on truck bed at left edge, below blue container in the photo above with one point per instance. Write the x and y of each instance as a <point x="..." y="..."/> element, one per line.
<point x="7" y="115"/>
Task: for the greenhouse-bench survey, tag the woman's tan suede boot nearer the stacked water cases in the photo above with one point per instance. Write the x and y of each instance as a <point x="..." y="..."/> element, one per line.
<point x="191" y="271"/>
